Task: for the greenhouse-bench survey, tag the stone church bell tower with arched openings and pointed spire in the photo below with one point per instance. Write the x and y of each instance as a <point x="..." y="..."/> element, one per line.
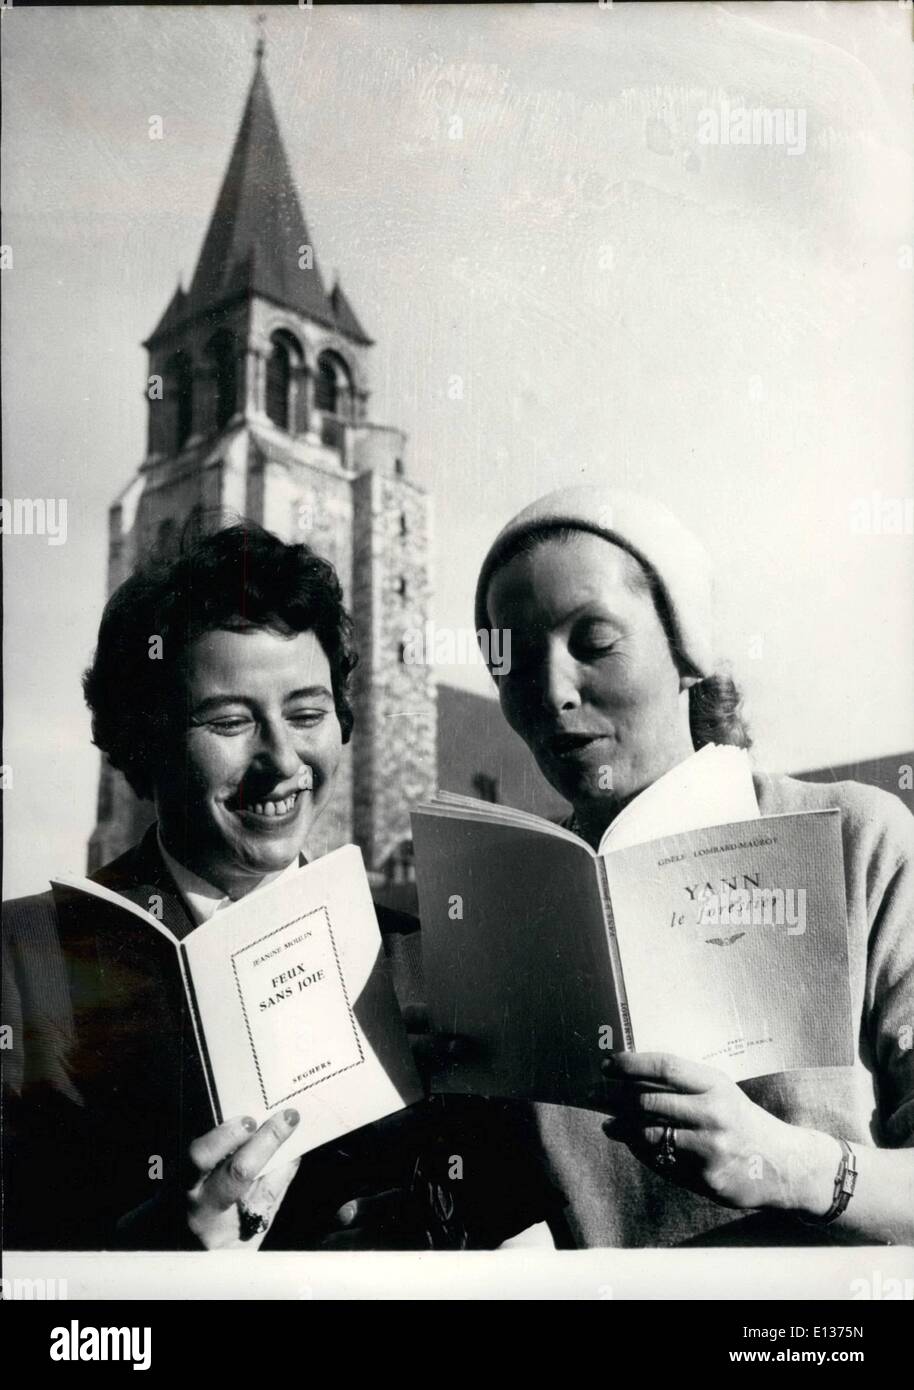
<point x="259" y="407"/>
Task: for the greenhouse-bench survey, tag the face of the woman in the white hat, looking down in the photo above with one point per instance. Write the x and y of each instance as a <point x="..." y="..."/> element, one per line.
<point x="592" y="689"/>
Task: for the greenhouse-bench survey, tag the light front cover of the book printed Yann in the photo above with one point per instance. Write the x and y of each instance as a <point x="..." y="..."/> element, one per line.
<point x="734" y="945"/>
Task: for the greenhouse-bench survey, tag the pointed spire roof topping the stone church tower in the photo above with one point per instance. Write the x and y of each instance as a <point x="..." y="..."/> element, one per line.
<point x="258" y="231"/>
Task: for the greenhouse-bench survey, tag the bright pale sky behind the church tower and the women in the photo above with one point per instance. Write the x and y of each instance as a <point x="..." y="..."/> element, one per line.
<point x="516" y="197"/>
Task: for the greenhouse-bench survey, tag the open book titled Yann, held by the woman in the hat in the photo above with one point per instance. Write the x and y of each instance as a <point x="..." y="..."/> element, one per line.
<point x="698" y="928"/>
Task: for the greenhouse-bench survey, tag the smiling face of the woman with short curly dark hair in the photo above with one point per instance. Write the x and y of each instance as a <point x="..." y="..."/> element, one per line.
<point x="252" y="764"/>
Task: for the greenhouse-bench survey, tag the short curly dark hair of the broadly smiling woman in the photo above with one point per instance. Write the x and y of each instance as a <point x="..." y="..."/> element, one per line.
<point x="237" y="578"/>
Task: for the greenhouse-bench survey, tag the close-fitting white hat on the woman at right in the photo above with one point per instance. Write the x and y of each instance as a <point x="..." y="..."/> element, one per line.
<point x="640" y="526"/>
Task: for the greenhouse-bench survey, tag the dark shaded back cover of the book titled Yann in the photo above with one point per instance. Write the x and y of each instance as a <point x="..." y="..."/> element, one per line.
<point x="516" y="960"/>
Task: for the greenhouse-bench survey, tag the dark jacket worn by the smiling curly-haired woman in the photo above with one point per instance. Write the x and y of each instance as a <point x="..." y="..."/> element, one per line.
<point x="103" y="1095"/>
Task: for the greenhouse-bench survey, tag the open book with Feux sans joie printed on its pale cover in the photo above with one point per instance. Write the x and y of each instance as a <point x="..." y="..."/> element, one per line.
<point x="290" y="995"/>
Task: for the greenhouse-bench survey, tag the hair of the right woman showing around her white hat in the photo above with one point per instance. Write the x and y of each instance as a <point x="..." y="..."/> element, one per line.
<point x="716" y="703"/>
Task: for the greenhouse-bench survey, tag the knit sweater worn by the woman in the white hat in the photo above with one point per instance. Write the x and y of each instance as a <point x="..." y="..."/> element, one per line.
<point x="615" y="1200"/>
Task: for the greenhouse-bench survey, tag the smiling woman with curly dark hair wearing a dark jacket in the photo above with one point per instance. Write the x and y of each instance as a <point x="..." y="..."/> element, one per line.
<point x="220" y="687"/>
